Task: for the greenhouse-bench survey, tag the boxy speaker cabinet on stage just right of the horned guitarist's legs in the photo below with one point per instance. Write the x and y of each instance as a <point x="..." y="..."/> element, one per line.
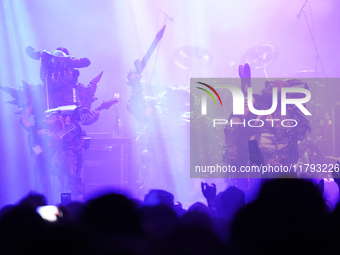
<point x="107" y="163"/>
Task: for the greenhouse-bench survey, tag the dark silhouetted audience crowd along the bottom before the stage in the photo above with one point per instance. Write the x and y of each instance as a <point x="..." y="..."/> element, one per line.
<point x="288" y="216"/>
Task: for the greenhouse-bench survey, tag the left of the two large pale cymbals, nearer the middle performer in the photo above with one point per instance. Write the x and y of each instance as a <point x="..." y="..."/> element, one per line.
<point x="189" y="57"/>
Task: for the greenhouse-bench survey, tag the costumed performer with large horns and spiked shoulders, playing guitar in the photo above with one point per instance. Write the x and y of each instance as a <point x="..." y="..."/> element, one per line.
<point x="60" y="88"/>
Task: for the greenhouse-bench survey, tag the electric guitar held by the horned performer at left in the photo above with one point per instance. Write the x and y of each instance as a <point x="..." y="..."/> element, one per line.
<point x="46" y="146"/>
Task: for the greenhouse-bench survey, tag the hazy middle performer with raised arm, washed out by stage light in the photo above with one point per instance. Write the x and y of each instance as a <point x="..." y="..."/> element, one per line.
<point x="165" y="159"/>
